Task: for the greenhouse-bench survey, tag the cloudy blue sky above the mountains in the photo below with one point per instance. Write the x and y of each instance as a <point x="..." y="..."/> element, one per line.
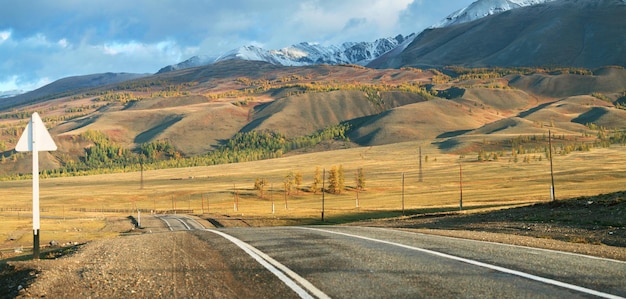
<point x="43" y="41"/>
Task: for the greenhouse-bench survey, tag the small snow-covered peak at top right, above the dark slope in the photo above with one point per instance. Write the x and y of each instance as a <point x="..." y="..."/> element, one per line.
<point x="483" y="8"/>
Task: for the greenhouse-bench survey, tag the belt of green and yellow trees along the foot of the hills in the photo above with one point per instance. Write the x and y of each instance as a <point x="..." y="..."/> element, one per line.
<point x="106" y="156"/>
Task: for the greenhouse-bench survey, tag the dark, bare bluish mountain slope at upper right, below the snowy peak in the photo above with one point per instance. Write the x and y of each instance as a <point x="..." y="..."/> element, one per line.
<point x="580" y="33"/>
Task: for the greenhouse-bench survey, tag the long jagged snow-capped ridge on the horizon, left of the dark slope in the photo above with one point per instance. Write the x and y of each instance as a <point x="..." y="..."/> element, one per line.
<point x="302" y="54"/>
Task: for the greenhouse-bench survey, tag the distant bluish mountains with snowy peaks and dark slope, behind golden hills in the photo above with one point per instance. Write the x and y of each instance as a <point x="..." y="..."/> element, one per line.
<point x="580" y="33"/>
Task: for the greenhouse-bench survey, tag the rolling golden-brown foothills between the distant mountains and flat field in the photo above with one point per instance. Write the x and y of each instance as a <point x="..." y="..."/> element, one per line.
<point x="196" y="111"/>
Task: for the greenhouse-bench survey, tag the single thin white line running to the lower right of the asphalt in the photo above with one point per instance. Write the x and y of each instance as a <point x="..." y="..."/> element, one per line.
<point x="480" y="264"/>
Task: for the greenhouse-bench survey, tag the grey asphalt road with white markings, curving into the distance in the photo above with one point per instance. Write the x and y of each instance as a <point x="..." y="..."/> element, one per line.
<point x="360" y="262"/>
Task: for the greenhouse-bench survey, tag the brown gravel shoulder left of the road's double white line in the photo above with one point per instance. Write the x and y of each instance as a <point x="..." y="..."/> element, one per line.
<point x="160" y="264"/>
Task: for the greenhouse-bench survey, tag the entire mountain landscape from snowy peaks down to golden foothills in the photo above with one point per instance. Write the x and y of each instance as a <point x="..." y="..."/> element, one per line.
<point x="416" y="91"/>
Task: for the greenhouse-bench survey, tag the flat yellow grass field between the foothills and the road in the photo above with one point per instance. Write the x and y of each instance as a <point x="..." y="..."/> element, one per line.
<point x="75" y="209"/>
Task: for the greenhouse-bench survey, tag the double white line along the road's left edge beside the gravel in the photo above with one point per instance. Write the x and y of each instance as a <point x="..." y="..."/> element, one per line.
<point x="272" y="265"/>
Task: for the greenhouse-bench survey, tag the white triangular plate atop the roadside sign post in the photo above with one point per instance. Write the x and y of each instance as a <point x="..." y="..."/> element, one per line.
<point x="35" y="132"/>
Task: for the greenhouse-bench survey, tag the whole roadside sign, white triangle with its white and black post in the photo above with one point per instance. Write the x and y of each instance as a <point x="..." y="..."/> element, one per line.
<point x="35" y="139"/>
